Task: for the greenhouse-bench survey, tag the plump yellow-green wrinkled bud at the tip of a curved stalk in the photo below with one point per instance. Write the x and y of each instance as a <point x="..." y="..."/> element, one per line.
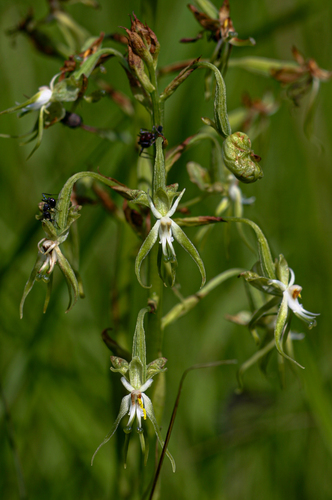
<point x="240" y="159"/>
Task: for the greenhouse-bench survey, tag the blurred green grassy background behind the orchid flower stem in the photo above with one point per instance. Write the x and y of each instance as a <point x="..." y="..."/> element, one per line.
<point x="61" y="398"/>
